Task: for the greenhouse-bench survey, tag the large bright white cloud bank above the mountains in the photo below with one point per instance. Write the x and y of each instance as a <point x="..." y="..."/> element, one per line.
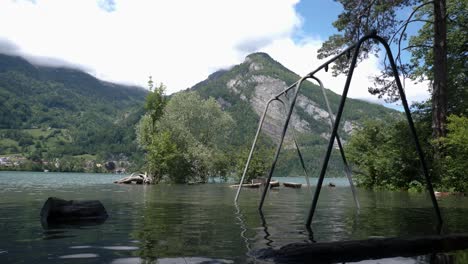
<point x="177" y="42"/>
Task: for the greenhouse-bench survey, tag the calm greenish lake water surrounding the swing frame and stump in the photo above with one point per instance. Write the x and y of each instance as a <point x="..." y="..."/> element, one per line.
<point x="192" y="224"/>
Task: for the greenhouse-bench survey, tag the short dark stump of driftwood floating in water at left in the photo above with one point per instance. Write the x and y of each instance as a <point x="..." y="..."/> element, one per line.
<point x="57" y="212"/>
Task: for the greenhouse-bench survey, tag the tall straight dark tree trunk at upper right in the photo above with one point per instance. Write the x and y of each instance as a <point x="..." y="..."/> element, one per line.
<point x="439" y="89"/>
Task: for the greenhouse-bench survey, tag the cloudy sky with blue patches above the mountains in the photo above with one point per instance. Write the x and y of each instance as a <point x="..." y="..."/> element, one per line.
<point x="126" y="41"/>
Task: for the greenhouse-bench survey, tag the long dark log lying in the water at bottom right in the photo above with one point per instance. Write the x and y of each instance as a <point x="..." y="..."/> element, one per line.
<point x="357" y="250"/>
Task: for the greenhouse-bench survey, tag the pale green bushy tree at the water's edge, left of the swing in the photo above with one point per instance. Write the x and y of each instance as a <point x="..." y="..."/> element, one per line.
<point x="186" y="143"/>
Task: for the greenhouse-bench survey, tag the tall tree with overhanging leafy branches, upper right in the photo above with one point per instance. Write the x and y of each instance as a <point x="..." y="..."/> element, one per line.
<point x="361" y="17"/>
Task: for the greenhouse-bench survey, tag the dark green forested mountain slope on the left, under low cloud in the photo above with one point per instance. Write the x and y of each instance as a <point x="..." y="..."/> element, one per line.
<point x="50" y="112"/>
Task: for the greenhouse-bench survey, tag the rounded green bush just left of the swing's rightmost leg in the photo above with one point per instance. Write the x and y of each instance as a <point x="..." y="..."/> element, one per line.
<point x="385" y="156"/>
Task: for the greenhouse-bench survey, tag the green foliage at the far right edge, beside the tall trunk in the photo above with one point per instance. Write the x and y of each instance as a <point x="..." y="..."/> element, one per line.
<point x="454" y="164"/>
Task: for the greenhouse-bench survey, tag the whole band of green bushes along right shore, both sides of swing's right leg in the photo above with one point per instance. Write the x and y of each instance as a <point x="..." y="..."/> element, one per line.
<point x="386" y="158"/>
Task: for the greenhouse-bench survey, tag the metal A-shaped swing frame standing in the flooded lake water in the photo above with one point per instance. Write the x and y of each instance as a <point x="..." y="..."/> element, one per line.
<point x="334" y="134"/>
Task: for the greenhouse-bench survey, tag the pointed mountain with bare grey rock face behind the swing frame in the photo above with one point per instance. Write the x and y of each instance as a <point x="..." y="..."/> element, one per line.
<point x="259" y="78"/>
